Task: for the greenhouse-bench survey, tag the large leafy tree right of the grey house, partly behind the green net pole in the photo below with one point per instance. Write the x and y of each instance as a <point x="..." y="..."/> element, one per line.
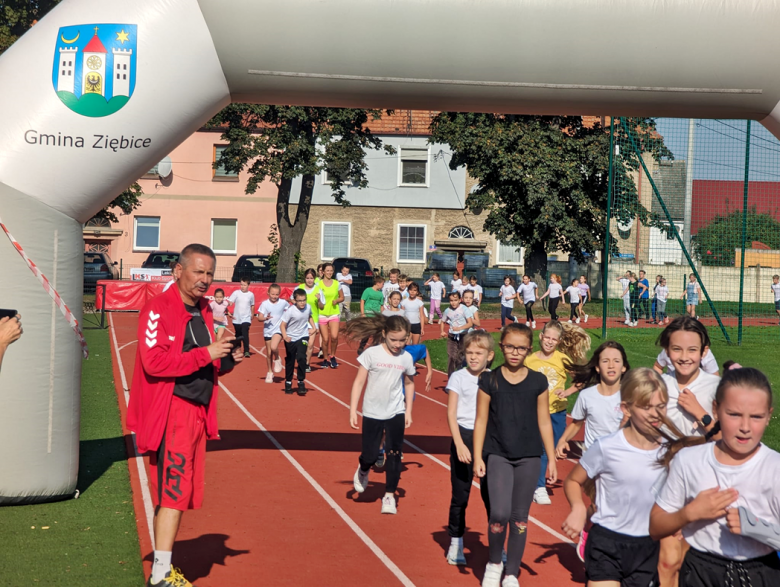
<point x="543" y="179"/>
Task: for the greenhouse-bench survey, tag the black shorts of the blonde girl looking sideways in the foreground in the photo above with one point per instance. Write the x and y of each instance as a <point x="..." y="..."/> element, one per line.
<point x="611" y="556"/>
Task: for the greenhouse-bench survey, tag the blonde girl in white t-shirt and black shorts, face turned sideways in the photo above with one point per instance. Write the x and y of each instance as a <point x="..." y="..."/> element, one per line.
<point x="625" y="466"/>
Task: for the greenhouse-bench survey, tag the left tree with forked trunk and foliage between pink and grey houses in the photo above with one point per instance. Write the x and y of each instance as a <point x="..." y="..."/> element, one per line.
<point x="280" y="143"/>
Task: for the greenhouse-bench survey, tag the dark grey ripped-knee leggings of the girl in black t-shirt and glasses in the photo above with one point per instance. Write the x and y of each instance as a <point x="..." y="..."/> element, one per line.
<point x="511" y="486"/>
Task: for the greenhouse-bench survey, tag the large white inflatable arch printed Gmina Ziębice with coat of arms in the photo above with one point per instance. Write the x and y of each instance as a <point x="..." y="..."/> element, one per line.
<point x="100" y="90"/>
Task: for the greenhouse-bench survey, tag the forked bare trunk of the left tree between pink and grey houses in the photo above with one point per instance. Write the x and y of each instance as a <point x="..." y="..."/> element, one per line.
<point x="291" y="234"/>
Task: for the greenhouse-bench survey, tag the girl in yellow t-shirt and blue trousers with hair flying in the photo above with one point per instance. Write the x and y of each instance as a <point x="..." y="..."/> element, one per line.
<point x="552" y="363"/>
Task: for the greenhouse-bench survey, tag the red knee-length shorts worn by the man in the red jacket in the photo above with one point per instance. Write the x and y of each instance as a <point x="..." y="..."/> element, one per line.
<point x="177" y="468"/>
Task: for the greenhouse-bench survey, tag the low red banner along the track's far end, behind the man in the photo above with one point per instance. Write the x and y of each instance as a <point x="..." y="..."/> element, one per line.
<point x="132" y="295"/>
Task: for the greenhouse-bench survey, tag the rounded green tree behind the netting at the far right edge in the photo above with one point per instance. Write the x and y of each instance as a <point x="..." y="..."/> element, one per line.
<point x="716" y="243"/>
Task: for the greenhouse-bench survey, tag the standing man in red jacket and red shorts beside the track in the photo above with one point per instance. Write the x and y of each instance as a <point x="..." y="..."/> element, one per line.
<point x="173" y="398"/>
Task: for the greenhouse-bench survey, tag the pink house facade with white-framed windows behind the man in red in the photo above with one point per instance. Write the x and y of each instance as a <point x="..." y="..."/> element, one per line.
<point x="195" y="203"/>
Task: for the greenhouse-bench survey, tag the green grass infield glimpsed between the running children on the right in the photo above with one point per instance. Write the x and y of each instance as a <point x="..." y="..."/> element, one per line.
<point x="641" y="350"/>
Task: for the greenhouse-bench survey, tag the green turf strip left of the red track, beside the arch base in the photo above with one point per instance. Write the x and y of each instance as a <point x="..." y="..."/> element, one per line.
<point x="92" y="540"/>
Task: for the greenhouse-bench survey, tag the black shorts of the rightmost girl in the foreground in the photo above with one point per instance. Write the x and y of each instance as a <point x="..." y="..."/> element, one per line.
<point x="701" y="569"/>
